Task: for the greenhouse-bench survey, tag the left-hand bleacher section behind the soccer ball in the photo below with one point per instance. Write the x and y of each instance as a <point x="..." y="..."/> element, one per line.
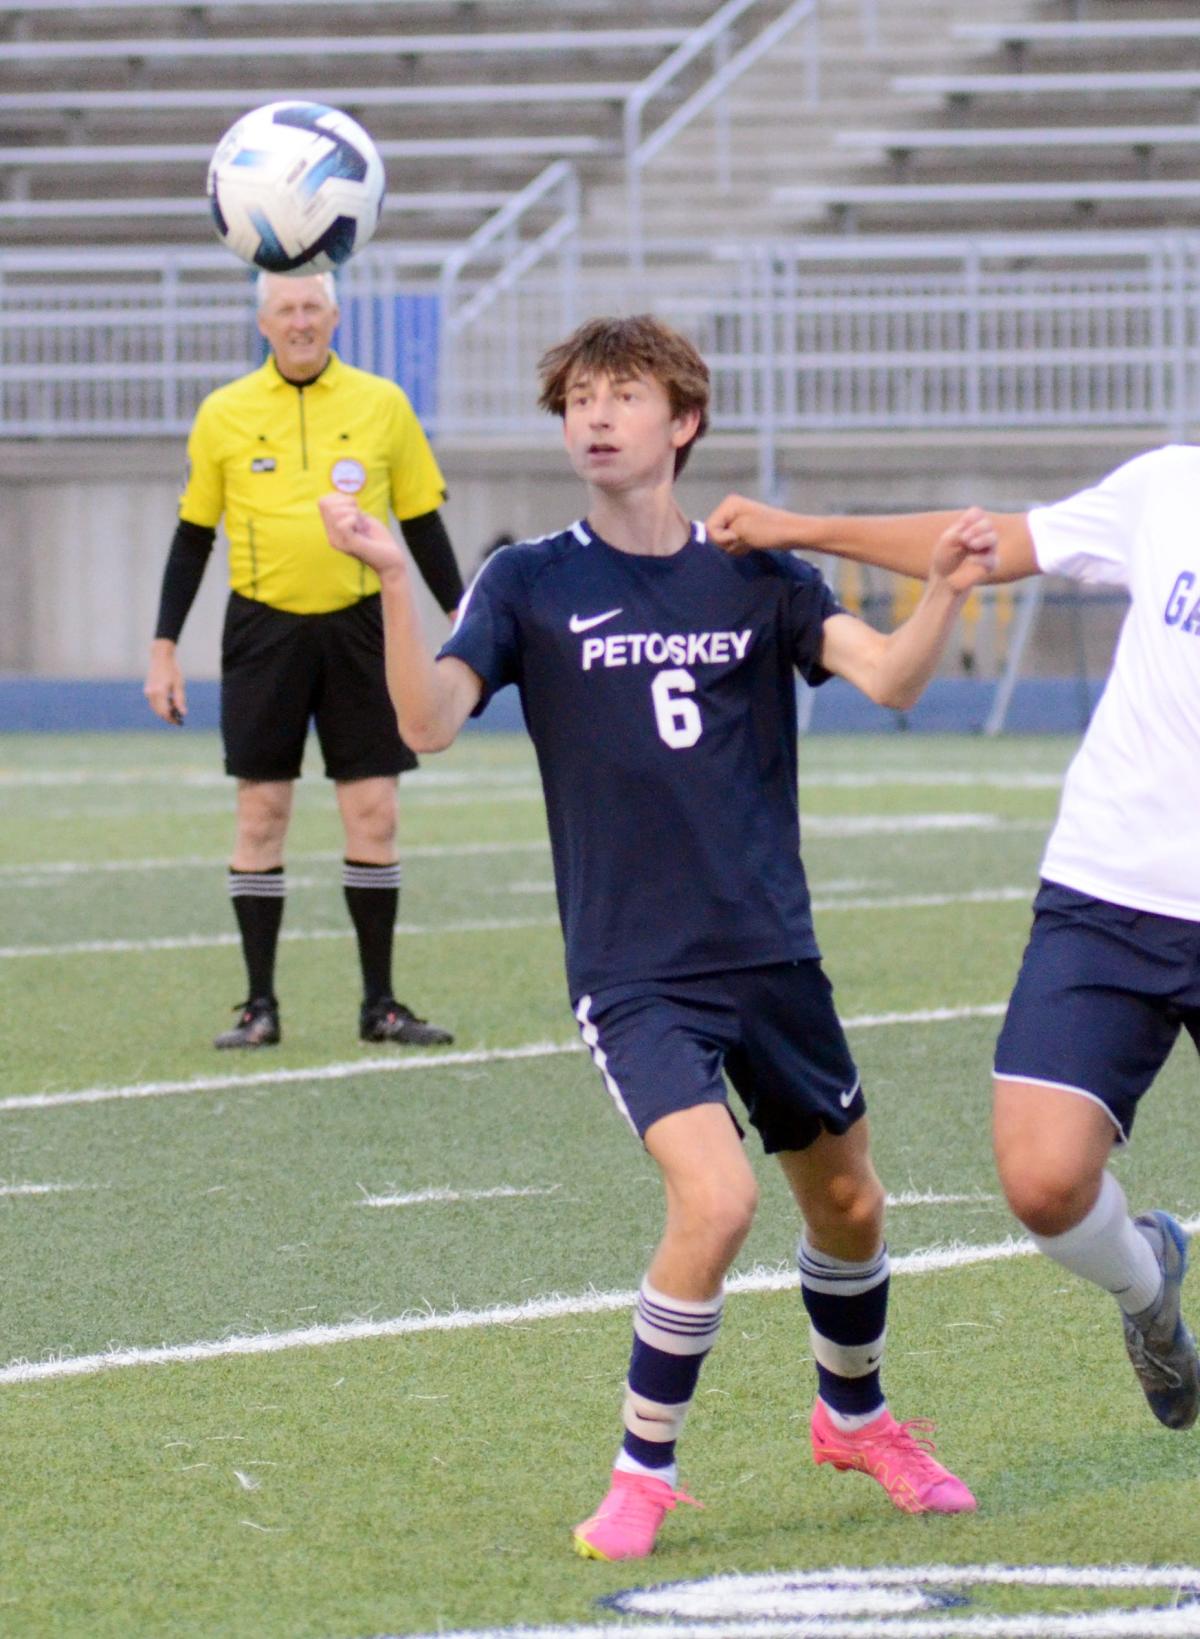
<point x="465" y="106"/>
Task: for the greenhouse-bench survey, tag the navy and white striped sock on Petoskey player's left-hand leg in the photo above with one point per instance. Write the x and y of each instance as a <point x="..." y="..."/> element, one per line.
<point x="671" y="1338"/>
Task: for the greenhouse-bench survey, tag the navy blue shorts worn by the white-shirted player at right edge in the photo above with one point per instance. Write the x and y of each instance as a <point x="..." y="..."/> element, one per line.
<point x="1101" y="999"/>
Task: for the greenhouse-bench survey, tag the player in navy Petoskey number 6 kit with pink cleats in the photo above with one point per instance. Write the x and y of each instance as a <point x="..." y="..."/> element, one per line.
<point x="657" y="678"/>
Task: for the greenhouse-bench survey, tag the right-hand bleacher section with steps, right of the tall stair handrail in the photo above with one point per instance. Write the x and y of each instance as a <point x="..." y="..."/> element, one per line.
<point x="1101" y="102"/>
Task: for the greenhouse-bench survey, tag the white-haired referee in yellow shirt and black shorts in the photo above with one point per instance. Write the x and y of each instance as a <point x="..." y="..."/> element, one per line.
<point x="304" y="635"/>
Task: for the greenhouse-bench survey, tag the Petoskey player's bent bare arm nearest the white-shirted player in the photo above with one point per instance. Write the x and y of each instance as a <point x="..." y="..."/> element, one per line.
<point x="894" y="670"/>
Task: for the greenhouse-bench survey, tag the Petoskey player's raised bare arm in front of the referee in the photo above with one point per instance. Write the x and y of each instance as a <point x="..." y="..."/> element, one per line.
<point x="434" y="699"/>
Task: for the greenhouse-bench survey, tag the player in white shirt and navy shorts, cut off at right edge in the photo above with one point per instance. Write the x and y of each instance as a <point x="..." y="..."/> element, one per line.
<point x="1112" y="969"/>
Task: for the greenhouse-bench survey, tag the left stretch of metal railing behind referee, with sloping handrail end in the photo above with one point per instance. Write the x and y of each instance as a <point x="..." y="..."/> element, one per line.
<point x="127" y="343"/>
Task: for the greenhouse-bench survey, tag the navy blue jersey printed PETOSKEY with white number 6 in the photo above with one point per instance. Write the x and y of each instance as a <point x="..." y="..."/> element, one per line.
<point x="660" y="694"/>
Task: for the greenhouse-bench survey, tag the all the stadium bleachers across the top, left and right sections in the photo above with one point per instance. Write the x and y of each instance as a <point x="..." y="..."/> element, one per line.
<point x="470" y="102"/>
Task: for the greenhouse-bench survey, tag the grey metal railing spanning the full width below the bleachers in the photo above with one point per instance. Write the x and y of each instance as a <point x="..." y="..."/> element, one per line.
<point x="806" y="337"/>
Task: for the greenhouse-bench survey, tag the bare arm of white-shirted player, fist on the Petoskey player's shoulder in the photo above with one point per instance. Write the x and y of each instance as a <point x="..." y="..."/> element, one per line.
<point x="901" y="542"/>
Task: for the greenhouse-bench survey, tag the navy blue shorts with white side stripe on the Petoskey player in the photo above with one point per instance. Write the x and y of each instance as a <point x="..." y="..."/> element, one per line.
<point x="771" y="1030"/>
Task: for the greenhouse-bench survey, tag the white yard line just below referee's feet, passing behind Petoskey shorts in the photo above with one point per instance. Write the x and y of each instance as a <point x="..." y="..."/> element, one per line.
<point x="412" y="1065"/>
